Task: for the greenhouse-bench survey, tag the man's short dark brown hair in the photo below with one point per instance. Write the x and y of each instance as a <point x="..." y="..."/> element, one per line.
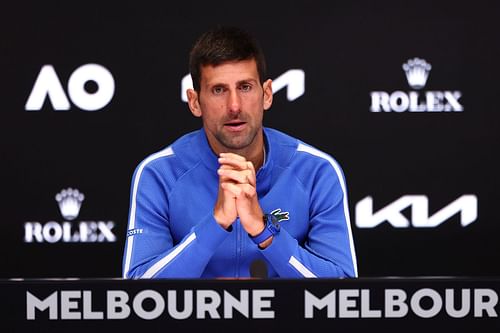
<point x="222" y="44"/>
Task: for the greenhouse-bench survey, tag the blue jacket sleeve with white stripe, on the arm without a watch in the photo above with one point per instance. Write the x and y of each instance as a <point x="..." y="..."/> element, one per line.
<point x="150" y="251"/>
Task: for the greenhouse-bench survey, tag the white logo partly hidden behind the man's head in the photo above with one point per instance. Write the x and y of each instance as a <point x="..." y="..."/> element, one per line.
<point x="293" y="80"/>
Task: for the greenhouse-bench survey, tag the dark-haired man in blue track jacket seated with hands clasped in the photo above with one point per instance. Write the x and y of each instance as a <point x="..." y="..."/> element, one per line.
<point x="235" y="198"/>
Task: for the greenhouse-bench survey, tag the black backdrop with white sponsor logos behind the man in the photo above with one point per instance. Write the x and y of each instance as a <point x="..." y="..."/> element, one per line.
<point x="403" y="96"/>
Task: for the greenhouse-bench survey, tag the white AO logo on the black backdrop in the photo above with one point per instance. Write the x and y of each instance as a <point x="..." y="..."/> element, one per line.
<point x="48" y="85"/>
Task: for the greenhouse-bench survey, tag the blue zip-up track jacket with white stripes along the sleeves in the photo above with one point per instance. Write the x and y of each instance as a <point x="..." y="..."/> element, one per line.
<point x="172" y="232"/>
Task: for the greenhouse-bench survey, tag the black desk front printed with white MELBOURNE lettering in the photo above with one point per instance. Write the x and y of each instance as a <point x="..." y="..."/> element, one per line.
<point x="351" y="305"/>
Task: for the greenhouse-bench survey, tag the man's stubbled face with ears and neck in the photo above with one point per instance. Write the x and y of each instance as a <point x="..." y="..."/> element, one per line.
<point x="231" y="103"/>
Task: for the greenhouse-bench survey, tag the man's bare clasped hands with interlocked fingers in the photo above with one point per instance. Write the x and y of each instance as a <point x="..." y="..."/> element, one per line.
<point x="237" y="195"/>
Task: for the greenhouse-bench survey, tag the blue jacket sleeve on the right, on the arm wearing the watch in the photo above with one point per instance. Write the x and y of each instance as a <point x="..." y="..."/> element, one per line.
<point x="328" y="250"/>
